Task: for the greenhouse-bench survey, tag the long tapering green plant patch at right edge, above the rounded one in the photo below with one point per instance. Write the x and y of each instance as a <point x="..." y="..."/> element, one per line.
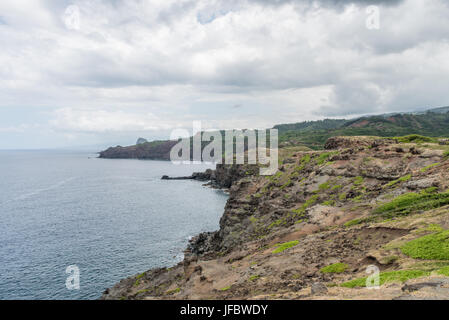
<point x="413" y="202"/>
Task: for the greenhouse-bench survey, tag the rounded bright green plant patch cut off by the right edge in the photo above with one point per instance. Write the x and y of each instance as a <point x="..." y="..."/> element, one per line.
<point x="431" y="247"/>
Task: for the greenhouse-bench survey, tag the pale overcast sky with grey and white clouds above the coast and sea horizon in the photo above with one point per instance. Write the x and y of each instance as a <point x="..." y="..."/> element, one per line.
<point x="79" y="73"/>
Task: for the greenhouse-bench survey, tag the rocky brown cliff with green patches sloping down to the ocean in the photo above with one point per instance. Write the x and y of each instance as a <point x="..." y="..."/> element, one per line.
<point x="311" y="230"/>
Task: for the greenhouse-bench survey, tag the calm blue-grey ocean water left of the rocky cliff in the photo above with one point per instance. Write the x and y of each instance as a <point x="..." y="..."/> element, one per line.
<point x="111" y="218"/>
